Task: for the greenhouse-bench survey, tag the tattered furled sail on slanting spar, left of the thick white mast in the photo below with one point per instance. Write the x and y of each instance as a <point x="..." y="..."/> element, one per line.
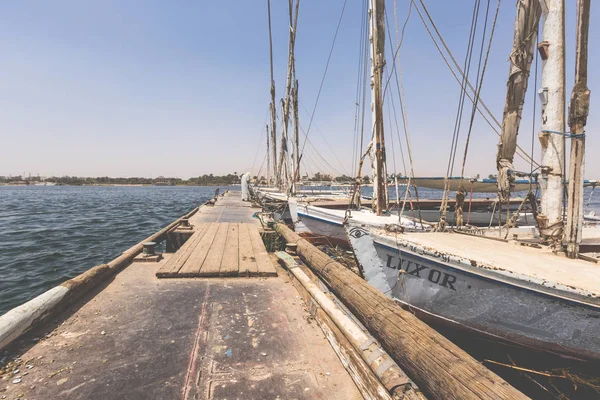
<point x="521" y="57"/>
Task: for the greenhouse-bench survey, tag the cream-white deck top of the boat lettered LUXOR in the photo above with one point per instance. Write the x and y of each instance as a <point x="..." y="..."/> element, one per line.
<point x="549" y="269"/>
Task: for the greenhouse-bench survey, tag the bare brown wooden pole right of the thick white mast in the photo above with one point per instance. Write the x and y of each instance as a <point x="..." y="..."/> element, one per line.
<point x="579" y="108"/>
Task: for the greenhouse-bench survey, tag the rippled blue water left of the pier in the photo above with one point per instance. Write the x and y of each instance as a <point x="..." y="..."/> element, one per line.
<point x="49" y="234"/>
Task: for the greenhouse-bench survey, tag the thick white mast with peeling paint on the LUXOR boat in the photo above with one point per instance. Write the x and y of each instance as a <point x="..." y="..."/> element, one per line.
<point x="552" y="140"/>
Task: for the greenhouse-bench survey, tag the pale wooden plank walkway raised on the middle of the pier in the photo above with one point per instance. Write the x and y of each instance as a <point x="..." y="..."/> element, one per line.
<point x="226" y="242"/>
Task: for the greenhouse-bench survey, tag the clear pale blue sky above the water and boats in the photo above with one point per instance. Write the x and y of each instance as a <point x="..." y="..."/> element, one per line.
<point x="181" y="88"/>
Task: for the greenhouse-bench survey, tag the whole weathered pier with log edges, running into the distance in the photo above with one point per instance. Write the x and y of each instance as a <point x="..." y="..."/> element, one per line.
<point x="229" y="322"/>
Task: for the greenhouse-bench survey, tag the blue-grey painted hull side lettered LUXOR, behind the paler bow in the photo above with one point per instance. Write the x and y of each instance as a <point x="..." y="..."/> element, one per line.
<point x="491" y="306"/>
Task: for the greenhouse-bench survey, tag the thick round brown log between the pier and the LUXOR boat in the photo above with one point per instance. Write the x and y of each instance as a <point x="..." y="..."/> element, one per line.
<point x="440" y="368"/>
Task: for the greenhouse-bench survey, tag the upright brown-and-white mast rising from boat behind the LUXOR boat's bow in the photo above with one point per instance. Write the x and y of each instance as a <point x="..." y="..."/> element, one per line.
<point x="377" y="43"/>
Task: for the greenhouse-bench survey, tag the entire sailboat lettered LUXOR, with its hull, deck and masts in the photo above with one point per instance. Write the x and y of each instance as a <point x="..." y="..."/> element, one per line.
<point x="506" y="289"/>
